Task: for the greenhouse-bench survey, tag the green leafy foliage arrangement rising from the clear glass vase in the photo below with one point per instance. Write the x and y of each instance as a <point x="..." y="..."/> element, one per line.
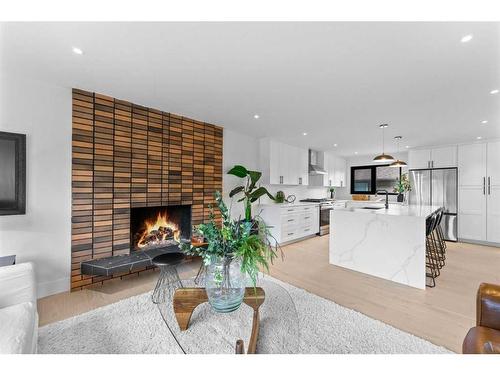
<point x="248" y="240"/>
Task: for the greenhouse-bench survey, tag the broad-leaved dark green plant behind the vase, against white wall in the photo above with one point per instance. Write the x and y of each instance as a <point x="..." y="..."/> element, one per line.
<point x="250" y="190"/>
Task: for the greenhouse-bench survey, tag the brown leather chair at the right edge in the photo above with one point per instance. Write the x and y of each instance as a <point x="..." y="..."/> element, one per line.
<point x="484" y="338"/>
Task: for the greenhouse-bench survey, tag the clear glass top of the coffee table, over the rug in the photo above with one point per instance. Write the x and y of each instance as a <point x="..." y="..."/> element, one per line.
<point x="210" y="332"/>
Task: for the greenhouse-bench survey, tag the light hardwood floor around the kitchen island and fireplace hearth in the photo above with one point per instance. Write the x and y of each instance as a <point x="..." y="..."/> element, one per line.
<point x="441" y="315"/>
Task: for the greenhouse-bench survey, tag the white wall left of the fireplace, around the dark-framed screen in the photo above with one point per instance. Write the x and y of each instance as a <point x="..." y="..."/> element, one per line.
<point x="43" y="235"/>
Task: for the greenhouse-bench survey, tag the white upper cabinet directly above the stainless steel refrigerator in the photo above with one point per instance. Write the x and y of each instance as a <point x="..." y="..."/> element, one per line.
<point x="439" y="157"/>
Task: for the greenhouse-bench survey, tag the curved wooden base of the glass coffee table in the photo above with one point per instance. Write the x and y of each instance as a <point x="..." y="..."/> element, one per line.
<point x="187" y="299"/>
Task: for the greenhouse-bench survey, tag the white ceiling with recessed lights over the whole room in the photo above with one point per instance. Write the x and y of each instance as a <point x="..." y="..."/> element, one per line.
<point x="335" y="81"/>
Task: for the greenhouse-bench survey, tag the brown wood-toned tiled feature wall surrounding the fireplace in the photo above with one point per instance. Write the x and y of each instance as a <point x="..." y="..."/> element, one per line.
<point x="125" y="155"/>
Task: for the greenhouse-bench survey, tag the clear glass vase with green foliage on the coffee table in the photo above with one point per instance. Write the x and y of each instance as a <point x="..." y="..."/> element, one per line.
<point x="235" y="250"/>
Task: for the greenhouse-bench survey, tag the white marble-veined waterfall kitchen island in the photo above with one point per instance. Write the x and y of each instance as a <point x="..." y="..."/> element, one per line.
<point x="387" y="243"/>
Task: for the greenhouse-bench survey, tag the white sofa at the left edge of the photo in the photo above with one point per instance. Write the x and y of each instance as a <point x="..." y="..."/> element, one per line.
<point x="18" y="311"/>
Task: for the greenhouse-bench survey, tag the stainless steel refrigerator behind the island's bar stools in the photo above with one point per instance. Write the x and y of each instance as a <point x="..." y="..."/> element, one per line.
<point x="437" y="187"/>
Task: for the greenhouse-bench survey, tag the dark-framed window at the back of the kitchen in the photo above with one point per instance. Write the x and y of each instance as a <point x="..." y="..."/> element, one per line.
<point x="368" y="179"/>
